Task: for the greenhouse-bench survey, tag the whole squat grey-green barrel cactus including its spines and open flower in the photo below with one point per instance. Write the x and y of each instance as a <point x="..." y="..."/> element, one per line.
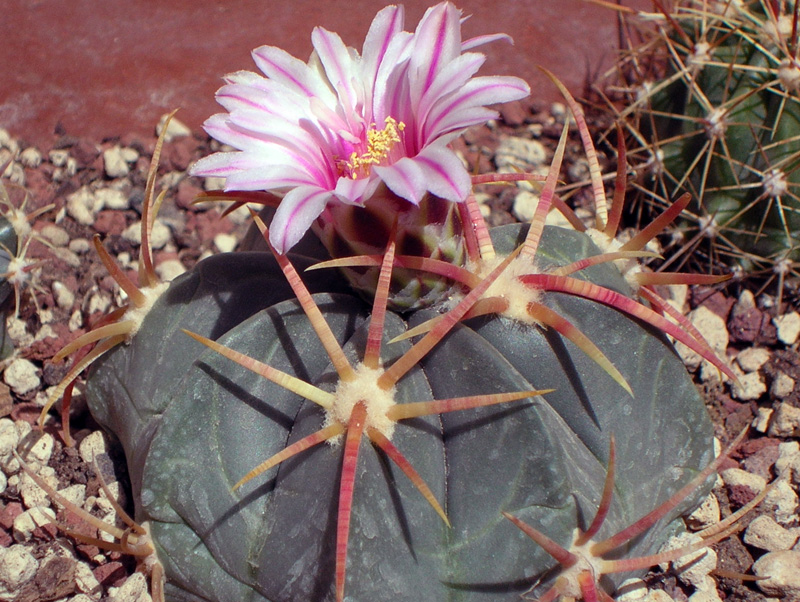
<point x="289" y="440"/>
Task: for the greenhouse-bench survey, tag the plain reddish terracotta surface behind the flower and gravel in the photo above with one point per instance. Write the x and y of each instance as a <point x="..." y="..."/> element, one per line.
<point x="99" y="68"/>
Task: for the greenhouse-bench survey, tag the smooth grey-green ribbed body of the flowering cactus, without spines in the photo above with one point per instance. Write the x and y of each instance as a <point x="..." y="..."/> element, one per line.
<point x="192" y="423"/>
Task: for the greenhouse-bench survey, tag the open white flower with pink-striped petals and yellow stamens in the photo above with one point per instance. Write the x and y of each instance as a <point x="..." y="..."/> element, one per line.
<point x="335" y="129"/>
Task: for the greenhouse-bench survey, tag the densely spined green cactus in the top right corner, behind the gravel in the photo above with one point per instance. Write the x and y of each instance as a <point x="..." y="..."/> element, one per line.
<point x="713" y="103"/>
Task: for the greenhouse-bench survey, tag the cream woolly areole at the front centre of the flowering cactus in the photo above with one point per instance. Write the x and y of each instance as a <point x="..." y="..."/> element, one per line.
<point x="364" y="387"/>
